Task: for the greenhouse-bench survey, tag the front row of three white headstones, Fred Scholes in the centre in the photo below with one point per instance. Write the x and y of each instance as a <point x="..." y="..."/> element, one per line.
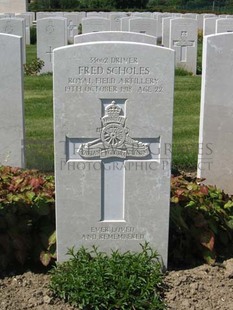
<point x="113" y="103"/>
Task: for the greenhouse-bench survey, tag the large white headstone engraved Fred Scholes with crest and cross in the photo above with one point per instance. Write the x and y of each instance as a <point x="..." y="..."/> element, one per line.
<point x="113" y="105"/>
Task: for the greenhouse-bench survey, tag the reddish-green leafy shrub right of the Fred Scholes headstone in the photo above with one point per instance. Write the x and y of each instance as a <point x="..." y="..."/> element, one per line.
<point x="201" y="222"/>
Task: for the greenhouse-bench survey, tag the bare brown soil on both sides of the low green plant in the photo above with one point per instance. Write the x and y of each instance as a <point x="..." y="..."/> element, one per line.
<point x="201" y="288"/>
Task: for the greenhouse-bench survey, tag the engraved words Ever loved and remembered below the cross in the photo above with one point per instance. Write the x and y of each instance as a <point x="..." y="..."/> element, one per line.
<point x="113" y="233"/>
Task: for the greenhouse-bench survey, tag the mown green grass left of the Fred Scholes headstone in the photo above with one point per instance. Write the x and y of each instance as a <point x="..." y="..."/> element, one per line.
<point x="38" y="118"/>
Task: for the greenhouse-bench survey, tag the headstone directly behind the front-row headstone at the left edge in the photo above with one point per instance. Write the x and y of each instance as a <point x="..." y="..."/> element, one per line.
<point x="15" y="26"/>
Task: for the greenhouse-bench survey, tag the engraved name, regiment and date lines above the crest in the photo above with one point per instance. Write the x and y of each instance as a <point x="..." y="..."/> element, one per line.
<point x="113" y="75"/>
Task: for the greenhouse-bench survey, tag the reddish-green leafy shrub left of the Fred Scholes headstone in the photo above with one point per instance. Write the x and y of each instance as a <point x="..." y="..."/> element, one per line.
<point x="27" y="217"/>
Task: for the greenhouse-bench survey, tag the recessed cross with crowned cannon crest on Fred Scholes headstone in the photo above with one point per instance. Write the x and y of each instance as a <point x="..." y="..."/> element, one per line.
<point x="114" y="148"/>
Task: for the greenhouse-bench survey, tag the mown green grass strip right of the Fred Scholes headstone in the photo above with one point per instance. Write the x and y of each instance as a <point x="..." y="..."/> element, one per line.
<point x="186" y="122"/>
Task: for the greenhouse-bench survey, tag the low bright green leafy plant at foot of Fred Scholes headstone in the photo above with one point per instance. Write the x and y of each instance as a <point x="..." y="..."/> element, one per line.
<point x="94" y="280"/>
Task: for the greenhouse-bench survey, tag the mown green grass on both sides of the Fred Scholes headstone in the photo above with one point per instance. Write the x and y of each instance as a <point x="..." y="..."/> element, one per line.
<point x="39" y="120"/>
